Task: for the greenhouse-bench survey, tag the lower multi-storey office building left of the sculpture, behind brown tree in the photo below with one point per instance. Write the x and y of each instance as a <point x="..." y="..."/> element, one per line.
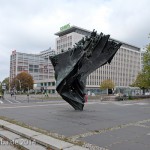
<point x="38" y="65"/>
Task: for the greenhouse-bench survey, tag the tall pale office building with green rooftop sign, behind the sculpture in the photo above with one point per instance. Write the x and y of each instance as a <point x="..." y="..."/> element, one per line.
<point x="123" y="68"/>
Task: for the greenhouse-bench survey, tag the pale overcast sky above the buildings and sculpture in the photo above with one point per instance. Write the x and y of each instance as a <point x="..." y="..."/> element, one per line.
<point x="29" y="25"/>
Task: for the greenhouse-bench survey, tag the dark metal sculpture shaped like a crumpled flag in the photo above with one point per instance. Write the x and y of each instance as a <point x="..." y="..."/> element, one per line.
<point x="73" y="66"/>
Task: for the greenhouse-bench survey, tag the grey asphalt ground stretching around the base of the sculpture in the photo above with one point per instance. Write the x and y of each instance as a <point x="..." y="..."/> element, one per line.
<point x="102" y="125"/>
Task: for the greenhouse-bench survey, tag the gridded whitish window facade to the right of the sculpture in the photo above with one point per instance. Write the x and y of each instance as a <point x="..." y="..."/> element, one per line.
<point x="122" y="70"/>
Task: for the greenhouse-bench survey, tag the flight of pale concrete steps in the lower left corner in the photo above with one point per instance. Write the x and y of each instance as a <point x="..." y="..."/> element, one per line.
<point x="32" y="140"/>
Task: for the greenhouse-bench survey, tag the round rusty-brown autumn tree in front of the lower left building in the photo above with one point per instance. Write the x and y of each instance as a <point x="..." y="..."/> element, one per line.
<point x="22" y="82"/>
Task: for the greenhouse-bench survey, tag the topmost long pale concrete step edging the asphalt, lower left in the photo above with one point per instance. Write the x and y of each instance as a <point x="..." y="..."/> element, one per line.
<point x="41" y="139"/>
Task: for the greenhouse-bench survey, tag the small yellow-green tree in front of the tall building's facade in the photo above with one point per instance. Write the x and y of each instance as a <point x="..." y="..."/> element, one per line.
<point x="107" y="84"/>
